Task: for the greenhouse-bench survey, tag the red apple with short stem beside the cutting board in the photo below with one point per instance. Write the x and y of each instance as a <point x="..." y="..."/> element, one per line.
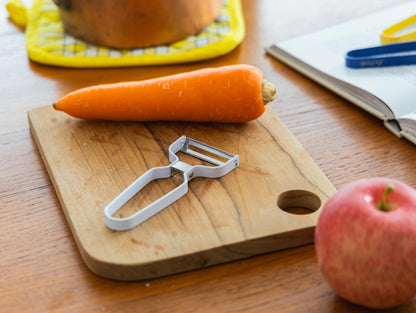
<point x="365" y="242"/>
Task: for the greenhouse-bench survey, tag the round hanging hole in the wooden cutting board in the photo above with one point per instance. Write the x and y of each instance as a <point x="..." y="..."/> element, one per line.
<point x="298" y="202"/>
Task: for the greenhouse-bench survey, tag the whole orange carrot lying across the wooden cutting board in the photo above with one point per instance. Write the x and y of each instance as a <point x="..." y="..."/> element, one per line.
<point x="230" y="94"/>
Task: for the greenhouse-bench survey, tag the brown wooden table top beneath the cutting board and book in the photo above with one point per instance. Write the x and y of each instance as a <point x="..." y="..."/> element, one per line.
<point x="41" y="269"/>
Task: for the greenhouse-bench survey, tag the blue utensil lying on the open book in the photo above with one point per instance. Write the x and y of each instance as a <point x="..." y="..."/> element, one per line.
<point x="385" y="55"/>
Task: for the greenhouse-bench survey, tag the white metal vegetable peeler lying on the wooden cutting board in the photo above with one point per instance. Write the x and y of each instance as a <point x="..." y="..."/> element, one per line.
<point x="187" y="171"/>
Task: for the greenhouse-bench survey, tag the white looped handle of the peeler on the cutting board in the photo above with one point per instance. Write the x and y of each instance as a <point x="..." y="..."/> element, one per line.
<point x="139" y="217"/>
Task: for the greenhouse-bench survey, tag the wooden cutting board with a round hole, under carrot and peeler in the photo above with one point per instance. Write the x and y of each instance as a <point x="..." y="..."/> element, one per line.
<point x="247" y="212"/>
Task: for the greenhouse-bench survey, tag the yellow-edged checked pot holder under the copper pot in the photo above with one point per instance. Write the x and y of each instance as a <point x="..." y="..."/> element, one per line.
<point x="47" y="43"/>
